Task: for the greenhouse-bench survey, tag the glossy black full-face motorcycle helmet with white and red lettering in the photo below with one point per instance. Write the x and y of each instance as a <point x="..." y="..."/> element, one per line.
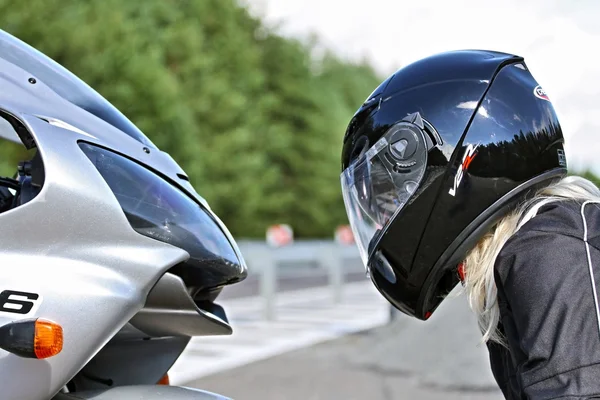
<point x="437" y="154"/>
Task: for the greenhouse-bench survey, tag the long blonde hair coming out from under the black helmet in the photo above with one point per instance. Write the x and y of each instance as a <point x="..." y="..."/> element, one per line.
<point x="479" y="282"/>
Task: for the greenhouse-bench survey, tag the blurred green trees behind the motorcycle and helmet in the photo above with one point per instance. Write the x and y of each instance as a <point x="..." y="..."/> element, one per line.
<point x="254" y="118"/>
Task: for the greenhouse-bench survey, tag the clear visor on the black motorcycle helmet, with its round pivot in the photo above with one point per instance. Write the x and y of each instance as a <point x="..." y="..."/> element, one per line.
<point x="380" y="182"/>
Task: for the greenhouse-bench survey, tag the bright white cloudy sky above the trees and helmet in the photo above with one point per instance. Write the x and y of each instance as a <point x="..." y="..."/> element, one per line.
<point x="559" y="39"/>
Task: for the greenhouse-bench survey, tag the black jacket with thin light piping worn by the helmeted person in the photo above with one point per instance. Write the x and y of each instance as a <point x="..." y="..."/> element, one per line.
<point x="548" y="282"/>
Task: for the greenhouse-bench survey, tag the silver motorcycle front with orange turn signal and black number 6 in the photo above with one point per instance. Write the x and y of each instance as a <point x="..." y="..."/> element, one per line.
<point x="112" y="261"/>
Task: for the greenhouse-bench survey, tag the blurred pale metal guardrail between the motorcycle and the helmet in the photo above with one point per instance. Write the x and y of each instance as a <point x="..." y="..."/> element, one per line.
<point x="269" y="262"/>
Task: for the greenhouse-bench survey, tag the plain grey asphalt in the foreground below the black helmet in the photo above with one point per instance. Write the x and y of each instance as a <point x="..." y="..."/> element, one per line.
<point x="407" y="359"/>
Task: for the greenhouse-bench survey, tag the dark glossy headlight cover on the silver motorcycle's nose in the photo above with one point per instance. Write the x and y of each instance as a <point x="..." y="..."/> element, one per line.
<point x="158" y="209"/>
